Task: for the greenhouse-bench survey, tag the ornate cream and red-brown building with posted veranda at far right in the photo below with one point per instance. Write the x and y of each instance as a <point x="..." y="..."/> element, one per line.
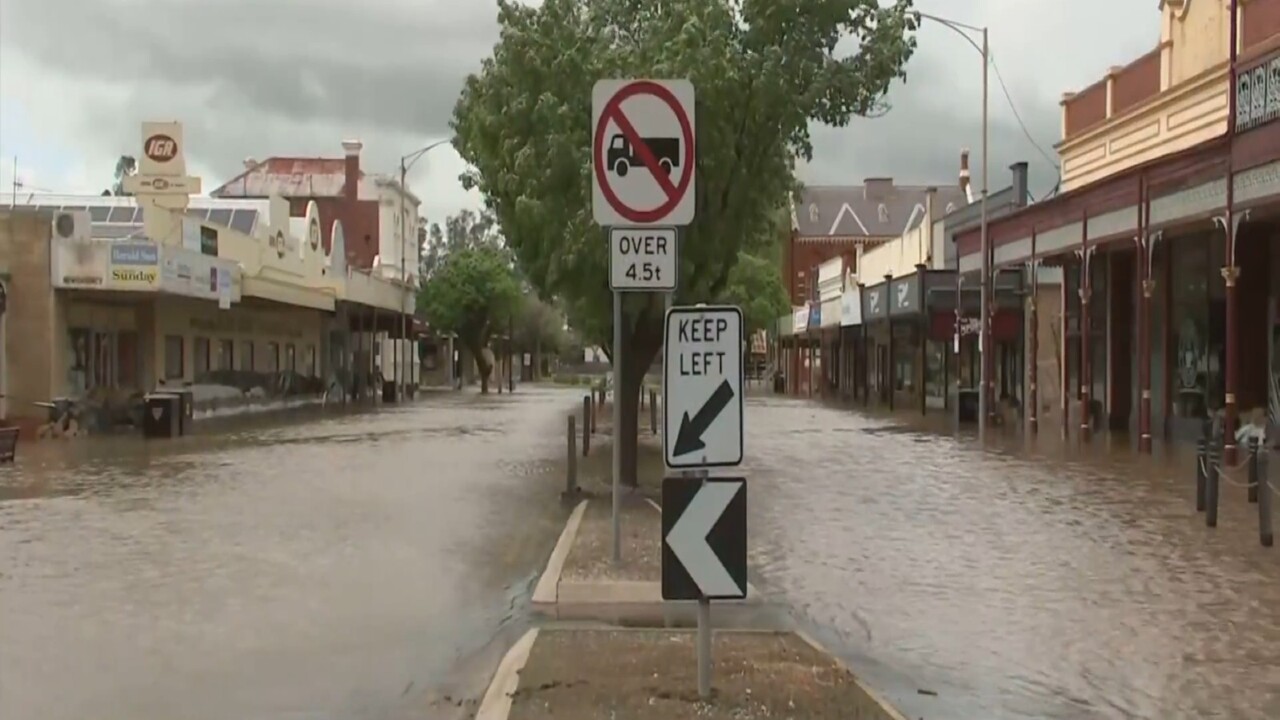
<point x="1167" y="233"/>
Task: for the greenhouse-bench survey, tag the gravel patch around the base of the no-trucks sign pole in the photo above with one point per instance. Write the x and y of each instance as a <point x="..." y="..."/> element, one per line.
<point x="592" y="557"/>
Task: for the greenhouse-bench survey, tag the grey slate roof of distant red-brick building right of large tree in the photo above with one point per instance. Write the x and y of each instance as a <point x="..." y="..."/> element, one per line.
<point x="861" y="211"/>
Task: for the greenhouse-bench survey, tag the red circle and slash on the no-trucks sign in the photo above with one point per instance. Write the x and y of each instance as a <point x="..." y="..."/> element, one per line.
<point x="614" y="112"/>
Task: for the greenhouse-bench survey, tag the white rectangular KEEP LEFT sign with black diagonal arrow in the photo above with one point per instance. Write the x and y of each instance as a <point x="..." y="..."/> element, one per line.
<point x="702" y="380"/>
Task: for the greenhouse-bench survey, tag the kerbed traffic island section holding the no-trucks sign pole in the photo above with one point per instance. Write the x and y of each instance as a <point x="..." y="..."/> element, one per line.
<point x="582" y="582"/>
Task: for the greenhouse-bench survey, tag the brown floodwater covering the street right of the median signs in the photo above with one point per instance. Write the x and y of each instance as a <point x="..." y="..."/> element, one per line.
<point x="1013" y="585"/>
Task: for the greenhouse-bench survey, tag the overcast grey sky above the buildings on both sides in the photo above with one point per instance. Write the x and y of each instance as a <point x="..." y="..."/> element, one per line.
<point x="254" y="79"/>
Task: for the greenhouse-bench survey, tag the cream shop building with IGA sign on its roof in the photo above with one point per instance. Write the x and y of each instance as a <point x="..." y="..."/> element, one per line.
<point x="117" y="297"/>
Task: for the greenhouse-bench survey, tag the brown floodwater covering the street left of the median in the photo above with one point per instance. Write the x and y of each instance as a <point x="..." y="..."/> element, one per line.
<point x="332" y="566"/>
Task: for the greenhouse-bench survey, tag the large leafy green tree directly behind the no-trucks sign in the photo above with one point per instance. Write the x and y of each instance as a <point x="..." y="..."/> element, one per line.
<point x="764" y="70"/>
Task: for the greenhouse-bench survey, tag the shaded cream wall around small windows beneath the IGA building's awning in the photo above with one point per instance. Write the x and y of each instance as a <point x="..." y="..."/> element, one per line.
<point x="190" y="320"/>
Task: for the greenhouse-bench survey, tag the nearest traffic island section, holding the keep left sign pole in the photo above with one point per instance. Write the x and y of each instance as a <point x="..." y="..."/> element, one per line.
<point x="632" y="675"/>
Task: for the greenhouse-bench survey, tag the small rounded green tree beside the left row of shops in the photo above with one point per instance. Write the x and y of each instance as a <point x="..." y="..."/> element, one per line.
<point x="472" y="290"/>
